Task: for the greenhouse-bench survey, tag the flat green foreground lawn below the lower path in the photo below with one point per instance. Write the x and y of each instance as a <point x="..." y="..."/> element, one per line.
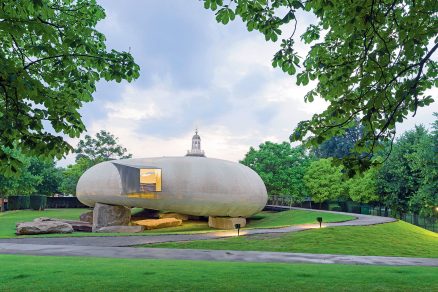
<point x="44" y="273"/>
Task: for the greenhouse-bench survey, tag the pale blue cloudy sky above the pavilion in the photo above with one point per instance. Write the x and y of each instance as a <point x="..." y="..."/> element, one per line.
<point x="196" y="73"/>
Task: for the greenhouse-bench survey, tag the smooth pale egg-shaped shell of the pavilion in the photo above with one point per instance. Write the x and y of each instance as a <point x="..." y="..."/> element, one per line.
<point x="190" y="185"/>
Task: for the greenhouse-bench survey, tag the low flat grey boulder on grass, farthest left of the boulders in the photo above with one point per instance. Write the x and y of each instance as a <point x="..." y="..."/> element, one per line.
<point x="43" y="227"/>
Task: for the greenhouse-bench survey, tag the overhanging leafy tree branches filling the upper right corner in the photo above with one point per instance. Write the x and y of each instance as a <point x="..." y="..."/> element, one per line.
<point x="373" y="61"/>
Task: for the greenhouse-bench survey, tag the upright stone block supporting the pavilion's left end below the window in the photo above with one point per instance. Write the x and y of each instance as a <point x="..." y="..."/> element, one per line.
<point x="109" y="215"/>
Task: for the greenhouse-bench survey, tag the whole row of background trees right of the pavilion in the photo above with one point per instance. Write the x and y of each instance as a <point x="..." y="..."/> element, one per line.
<point x="405" y="181"/>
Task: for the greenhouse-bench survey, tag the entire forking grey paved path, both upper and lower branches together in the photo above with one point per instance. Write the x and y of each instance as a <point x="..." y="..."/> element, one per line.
<point x="117" y="247"/>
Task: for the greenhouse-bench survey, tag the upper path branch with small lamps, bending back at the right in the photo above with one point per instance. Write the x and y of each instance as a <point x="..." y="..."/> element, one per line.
<point x="146" y="239"/>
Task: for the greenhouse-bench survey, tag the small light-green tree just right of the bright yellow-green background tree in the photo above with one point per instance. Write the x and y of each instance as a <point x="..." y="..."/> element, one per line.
<point x="363" y="187"/>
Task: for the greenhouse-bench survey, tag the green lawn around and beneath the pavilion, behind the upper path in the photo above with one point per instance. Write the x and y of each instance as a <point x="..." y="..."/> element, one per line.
<point x="9" y="219"/>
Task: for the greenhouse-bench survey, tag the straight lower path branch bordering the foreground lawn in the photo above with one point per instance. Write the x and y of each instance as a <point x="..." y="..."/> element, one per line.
<point x="210" y="255"/>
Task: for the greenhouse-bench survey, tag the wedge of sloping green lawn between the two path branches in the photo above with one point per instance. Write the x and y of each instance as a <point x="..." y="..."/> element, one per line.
<point x="391" y="239"/>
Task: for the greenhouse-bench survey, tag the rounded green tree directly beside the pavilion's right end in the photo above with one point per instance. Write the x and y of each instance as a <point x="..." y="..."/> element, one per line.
<point x="281" y="168"/>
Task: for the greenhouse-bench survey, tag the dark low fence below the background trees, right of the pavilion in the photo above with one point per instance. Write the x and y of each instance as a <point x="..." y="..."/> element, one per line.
<point x="430" y="223"/>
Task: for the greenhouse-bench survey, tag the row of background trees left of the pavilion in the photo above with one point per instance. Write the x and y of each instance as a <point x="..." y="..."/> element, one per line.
<point x="41" y="175"/>
